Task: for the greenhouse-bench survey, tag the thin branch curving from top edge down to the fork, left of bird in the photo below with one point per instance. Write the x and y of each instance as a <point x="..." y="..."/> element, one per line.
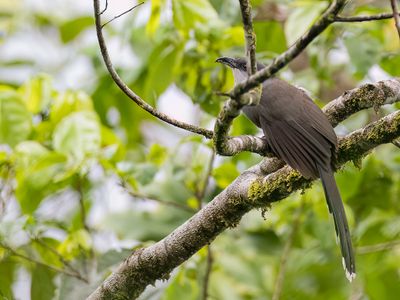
<point x="131" y="94"/>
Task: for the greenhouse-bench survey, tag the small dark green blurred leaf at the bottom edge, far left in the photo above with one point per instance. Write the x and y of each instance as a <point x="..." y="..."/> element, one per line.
<point x="42" y="286"/>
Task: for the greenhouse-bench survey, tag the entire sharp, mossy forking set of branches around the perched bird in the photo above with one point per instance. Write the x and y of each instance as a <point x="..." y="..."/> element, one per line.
<point x="262" y="184"/>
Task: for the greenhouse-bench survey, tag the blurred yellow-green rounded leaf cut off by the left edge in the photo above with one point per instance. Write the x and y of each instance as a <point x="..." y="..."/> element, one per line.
<point x="15" y="119"/>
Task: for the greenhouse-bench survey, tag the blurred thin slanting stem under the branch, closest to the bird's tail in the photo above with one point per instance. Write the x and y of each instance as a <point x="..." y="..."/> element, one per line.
<point x="286" y="251"/>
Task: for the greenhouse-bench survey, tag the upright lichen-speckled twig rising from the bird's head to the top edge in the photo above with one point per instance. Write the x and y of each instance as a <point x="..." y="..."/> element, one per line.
<point x="247" y="21"/>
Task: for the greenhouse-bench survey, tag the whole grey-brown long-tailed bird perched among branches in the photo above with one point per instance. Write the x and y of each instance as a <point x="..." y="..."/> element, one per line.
<point x="298" y="132"/>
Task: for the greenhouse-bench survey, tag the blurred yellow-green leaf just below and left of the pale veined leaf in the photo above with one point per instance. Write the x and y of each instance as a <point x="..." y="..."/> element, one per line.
<point x="36" y="181"/>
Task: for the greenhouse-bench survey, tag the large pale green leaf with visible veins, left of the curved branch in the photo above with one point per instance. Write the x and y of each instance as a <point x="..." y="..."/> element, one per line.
<point x="78" y="135"/>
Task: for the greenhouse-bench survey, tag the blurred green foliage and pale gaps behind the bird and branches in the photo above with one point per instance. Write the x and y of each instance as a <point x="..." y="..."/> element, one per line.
<point x="86" y="176"/>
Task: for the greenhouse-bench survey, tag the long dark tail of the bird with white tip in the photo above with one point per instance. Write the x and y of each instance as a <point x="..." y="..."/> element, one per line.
<point x="336" y="208"/>
